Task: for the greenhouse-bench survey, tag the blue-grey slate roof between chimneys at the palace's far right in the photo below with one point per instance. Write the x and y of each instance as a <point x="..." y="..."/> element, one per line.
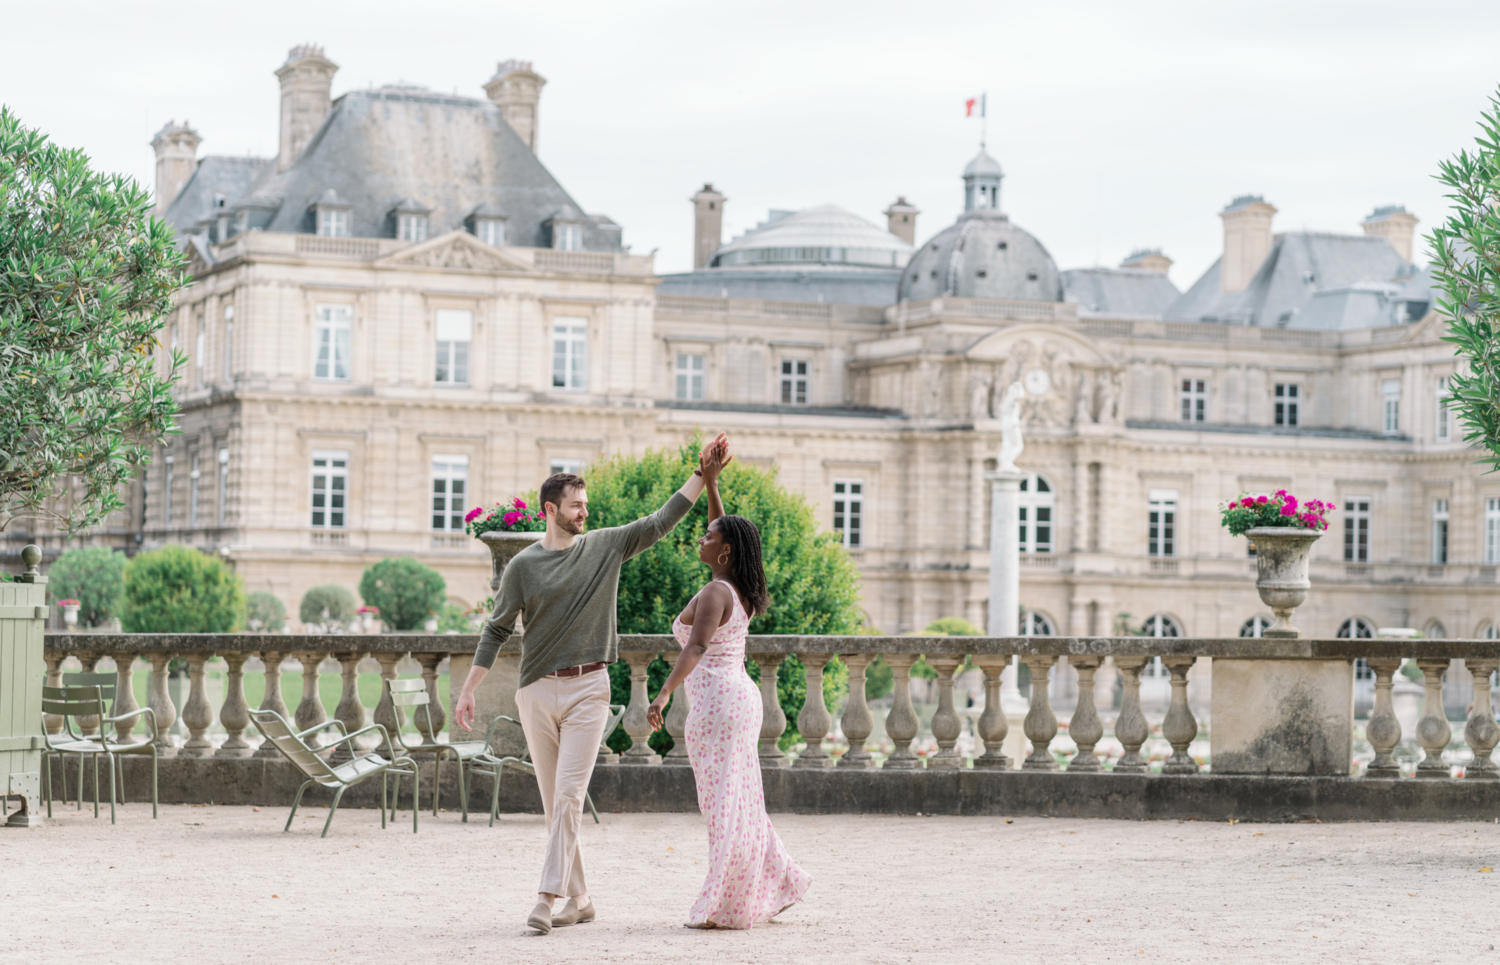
<point x="1313" y="281"/>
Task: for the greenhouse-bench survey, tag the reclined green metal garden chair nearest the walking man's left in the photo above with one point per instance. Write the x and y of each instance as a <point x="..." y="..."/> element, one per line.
<point x="340" y="777"/>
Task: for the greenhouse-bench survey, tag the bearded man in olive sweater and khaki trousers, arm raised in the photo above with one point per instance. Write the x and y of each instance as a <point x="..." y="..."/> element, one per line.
<point x="568" y="586"/>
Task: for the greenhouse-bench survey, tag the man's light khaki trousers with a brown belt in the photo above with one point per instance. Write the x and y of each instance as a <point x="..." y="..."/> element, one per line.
<point x="565" y="721"/>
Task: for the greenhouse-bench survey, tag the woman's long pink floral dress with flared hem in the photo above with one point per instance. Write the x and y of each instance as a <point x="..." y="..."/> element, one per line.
<point x="751" y="876"/>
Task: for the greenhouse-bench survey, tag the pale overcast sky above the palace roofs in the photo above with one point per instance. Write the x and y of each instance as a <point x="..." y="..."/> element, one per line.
<point x="1120" y="125"/>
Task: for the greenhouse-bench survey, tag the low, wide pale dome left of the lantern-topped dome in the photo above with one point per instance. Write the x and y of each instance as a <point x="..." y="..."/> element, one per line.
<point x="826" y="235"/>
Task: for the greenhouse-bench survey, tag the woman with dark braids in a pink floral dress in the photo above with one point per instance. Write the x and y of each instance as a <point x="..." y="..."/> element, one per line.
<point x="751" y="877"/>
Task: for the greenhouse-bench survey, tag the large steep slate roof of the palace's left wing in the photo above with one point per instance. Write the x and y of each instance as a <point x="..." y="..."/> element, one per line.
<point x="379" y="148"/>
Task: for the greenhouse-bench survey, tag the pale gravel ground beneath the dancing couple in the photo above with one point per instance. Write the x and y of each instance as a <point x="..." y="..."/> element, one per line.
<point x="215" y="885"/>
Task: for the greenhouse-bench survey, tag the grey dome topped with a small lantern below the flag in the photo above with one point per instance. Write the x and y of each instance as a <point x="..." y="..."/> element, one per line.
<point x="983" y="256"/>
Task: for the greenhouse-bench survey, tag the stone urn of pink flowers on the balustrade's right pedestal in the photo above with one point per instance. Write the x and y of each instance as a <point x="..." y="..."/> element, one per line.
<point x="1283" y="532"/>
